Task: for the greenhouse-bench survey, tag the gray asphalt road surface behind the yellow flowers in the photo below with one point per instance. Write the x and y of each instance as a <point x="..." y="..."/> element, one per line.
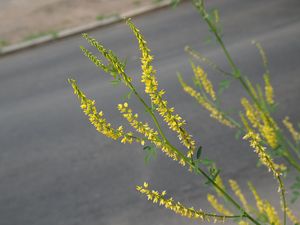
<point x="56" y="169"/>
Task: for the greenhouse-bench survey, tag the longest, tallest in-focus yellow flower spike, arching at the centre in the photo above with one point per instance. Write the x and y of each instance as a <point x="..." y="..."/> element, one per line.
<point x="174" y="121"/>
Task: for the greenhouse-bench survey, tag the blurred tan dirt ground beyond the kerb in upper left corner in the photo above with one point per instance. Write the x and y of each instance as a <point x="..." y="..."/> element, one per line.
<point x="23" y="20"/>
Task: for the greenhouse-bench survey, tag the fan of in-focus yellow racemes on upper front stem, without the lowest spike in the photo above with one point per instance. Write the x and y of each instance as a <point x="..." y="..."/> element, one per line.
<point x="117" y="70"/>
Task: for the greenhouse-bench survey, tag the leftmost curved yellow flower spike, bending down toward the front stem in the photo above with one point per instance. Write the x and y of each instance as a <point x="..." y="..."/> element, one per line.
<point x="97" y="118"/>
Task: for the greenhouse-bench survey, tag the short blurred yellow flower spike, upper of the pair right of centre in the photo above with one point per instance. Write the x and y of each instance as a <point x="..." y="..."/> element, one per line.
<point x="201" y="77"/>
